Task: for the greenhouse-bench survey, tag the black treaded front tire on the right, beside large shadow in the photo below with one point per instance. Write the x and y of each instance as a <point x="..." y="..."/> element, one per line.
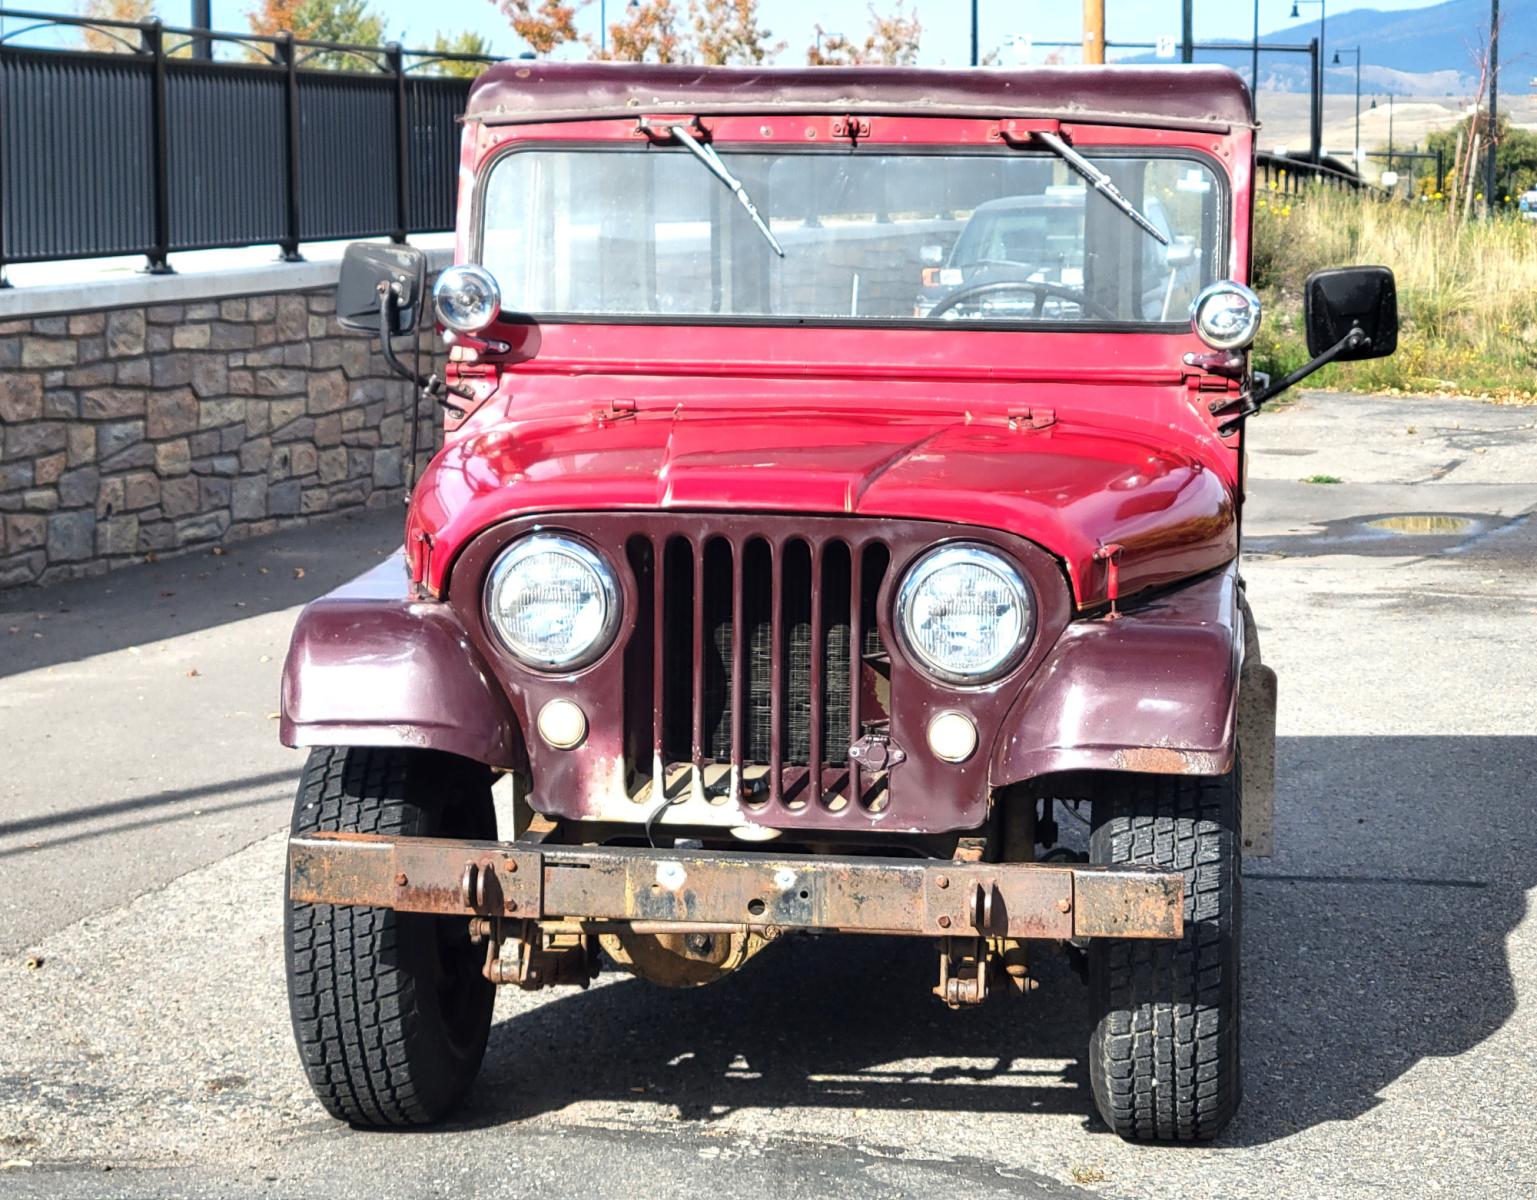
<point x="1164" y="1056"/>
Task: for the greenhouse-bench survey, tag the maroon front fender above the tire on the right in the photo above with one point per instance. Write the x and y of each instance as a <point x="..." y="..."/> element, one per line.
<point x="1150" y="691"/>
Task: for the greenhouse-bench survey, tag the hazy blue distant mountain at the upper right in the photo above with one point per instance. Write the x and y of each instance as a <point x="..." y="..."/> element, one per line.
<point x="1424" y="51"/>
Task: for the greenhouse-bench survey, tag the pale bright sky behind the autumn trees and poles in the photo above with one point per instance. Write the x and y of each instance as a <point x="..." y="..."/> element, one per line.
<point x="946" y="22"/>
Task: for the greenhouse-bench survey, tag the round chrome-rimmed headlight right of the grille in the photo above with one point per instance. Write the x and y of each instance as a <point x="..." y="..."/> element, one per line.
<point x="966" y="614"/>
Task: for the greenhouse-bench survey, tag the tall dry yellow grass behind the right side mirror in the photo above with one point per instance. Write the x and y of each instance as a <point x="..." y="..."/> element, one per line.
<point x="1467" y="293"/>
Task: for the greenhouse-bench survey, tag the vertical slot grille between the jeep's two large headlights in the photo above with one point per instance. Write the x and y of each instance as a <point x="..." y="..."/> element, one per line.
<point x="762" y="655"/>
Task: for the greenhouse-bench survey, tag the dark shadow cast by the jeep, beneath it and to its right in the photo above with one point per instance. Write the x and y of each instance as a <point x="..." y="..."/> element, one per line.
<point x="1376" y="941"/>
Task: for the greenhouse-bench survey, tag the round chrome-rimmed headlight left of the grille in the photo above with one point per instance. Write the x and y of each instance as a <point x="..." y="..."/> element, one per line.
<point x="553" y="602"/>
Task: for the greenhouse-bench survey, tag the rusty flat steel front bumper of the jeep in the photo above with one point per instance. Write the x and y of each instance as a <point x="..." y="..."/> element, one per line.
<point x="680" y="890"/>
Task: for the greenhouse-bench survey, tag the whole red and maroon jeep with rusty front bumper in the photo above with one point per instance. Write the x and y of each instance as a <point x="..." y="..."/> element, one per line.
<point x="800" y="571"/>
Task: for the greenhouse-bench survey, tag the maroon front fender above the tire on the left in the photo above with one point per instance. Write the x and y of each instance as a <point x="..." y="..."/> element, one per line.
<point x="371" y="666"/>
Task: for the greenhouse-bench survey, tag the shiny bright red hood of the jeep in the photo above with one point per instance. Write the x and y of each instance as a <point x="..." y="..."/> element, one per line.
<point x="1069" y="488"/>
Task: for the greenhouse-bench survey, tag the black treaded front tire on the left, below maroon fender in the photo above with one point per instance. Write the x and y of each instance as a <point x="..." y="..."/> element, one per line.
<point x="391" y="1010"/>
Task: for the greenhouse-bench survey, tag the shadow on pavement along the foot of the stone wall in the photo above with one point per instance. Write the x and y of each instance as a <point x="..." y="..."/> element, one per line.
<point x="181" y="595"/>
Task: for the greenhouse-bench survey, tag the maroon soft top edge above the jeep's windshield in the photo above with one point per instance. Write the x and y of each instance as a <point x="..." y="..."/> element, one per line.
<point x="1189" y="98"/>
